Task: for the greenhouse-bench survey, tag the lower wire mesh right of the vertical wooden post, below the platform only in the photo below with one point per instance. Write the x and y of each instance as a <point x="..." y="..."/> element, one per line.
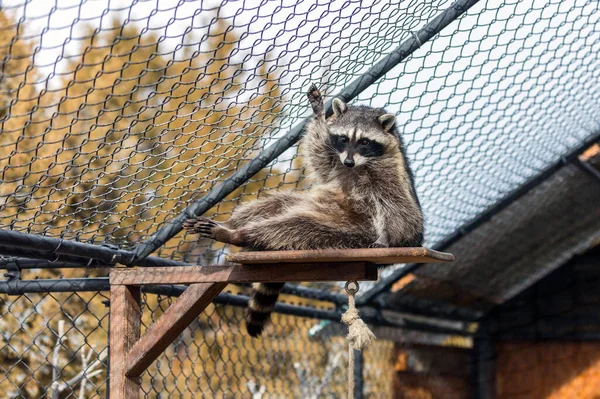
<point x="216" y="357"/>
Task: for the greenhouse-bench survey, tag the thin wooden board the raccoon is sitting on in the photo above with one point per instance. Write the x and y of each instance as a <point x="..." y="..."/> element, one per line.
<point x="378" y="256"/>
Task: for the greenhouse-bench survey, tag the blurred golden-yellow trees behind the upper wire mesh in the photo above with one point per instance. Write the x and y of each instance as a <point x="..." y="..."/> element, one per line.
<point x="129" y="137"/>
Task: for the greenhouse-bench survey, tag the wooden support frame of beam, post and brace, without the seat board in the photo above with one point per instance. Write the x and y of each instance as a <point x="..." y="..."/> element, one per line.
<point x="131" y="355"/>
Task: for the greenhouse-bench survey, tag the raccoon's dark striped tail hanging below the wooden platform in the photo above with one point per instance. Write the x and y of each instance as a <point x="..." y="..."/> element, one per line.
<point x="261" y="304"/>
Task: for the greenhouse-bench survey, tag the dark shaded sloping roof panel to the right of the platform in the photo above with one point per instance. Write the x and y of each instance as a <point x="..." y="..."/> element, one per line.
<point x="521" y="244"/>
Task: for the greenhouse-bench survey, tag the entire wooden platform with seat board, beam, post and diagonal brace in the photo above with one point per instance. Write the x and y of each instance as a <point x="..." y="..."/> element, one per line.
<point x="131" y="354"/>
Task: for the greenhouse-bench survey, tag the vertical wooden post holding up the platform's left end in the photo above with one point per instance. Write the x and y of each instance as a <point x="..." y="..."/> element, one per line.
<point x="125" y="321"/>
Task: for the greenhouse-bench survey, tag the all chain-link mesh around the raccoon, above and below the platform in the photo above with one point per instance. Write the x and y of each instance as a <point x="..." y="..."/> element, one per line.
<point x="115" y="118"/>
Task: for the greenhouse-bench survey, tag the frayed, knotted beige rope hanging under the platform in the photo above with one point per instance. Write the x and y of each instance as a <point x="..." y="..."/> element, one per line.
<point x="359" y="334"/>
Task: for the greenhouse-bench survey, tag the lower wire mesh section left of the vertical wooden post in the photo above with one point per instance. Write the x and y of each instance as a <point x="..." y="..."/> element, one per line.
<point x="54" y="345"/>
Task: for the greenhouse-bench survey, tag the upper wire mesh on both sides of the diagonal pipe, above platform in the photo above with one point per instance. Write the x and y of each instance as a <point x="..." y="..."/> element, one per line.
<point x="115" y="118"/>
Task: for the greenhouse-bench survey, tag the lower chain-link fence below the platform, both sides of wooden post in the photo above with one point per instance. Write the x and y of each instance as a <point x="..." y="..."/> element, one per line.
<point x="55" y="346"/>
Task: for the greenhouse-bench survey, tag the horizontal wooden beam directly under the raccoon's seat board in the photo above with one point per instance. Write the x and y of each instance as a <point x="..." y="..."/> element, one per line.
<point x="257" y="273"/>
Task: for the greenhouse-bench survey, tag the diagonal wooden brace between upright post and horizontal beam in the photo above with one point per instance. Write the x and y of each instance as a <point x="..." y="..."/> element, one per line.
<point x="168" y="327"/>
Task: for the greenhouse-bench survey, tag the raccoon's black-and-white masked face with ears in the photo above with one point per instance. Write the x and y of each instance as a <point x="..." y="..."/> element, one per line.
<point x="361" y="135"/>
